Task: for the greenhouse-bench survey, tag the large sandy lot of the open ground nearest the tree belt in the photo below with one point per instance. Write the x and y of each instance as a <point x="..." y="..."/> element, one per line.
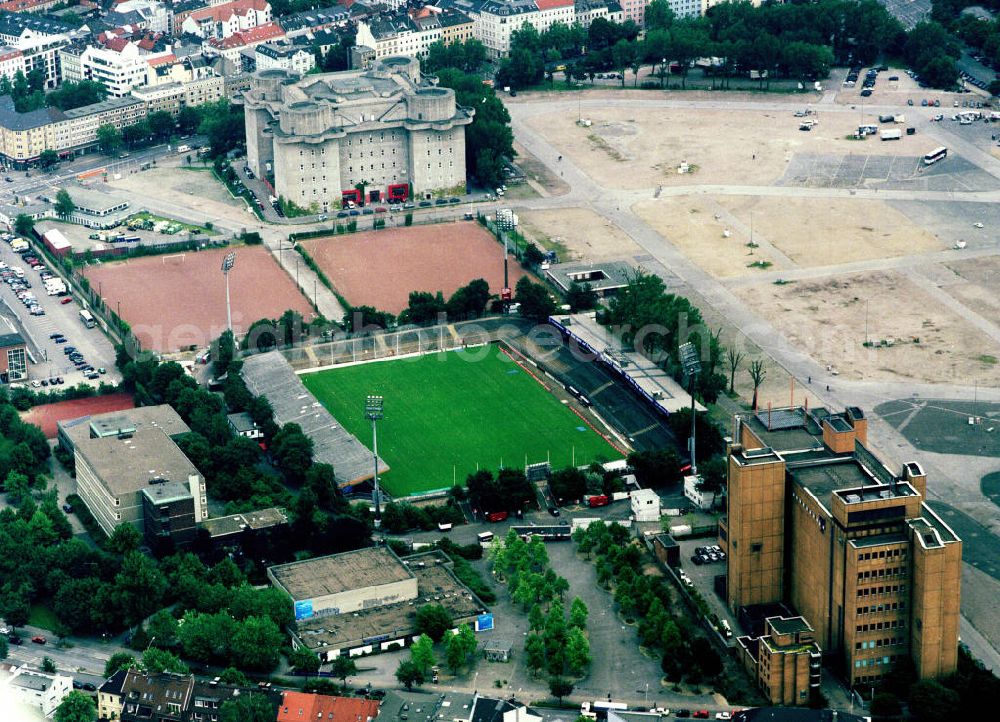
<point x="643" y="147"/>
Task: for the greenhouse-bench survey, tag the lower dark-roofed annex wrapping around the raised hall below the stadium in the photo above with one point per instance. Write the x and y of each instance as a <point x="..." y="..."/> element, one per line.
<point x="392" y="626"/>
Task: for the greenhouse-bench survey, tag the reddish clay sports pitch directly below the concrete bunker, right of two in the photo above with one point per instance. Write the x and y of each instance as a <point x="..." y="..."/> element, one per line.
<point x="380" y="268"/>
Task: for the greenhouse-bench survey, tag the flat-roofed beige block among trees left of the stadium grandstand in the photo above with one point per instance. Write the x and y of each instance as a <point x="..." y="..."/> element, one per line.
<point x="113" y="472"/>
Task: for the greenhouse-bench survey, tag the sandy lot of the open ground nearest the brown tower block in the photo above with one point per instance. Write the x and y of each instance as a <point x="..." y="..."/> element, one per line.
<point x="827" y="319"/>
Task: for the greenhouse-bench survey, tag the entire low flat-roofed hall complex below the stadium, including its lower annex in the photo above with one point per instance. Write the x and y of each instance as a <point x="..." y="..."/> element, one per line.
<point x="365" y="601"/>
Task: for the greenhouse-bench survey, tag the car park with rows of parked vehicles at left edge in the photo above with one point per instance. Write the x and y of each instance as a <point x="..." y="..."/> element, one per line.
<point x="50" y="360"/>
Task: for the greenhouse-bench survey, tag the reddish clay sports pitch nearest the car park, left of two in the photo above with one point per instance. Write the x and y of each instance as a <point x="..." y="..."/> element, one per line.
<point x="179" y="300"/>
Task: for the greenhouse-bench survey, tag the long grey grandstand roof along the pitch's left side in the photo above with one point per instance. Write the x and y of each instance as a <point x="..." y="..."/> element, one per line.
<point x="271" y="376"/>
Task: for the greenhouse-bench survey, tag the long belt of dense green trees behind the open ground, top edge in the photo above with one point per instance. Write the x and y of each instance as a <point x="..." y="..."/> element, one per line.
<point x="794" y="40"/>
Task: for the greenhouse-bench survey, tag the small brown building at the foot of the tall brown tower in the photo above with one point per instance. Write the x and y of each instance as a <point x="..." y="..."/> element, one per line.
<point x="785" y="662"/>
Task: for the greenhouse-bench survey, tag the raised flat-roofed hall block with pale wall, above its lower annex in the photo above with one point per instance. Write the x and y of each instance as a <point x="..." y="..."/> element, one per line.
<point x="344" y="583"/>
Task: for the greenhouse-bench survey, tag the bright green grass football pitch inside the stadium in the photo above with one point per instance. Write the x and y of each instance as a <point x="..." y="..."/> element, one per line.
<point x="447" y="414"/>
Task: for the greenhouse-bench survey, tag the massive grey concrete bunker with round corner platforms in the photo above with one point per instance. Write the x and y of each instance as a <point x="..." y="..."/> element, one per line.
<point x="324" y="134"/>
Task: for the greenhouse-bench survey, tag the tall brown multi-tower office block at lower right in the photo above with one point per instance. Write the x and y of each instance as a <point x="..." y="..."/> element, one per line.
<point x="817" y="522"/>
